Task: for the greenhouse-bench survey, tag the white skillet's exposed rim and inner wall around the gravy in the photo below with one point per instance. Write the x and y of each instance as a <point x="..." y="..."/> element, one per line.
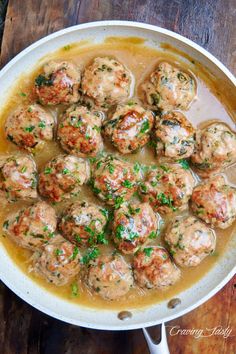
<point x="56" y="307"/>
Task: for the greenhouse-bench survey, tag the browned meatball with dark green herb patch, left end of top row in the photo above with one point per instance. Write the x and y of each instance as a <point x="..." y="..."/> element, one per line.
<point x="58" y="84"/>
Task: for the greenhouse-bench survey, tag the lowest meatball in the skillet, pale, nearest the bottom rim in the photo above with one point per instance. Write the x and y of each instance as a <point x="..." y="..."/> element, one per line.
<point x="110" y="276"/>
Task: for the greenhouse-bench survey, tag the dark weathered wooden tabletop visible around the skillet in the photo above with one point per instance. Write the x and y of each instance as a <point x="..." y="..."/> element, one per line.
<point x="212" y="25"/>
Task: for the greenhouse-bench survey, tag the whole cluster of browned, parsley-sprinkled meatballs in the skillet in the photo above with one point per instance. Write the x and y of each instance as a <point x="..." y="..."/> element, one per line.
<point x="99" y="105"/>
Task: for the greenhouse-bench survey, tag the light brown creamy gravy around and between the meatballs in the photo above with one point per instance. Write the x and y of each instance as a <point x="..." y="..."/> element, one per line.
<point x="140" y="60"/>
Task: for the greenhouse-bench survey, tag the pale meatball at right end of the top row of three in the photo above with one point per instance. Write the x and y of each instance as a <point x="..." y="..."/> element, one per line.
<point x="170" y="88"/>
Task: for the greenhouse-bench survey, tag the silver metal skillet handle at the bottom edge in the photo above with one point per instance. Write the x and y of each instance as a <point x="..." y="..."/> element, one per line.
<point x="159" y="346"/>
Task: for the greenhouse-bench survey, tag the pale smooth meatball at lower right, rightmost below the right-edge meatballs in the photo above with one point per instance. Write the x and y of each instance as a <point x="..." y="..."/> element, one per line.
<point x="190" y="241"/>
